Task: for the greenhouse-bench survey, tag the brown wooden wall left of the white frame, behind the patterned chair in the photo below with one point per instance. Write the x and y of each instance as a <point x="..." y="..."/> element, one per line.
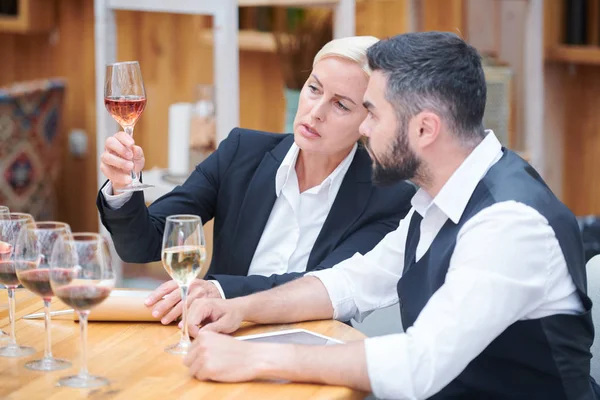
<point x="28" y="57"/>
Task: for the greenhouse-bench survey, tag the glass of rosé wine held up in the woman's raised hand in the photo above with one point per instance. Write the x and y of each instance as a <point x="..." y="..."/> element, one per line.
<point x="125" y="100"/>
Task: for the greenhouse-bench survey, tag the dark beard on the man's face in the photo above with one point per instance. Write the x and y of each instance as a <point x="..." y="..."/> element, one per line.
<point x="398" y="164"/>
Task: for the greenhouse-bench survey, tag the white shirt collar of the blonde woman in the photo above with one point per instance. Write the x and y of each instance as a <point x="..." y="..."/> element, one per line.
<point x="287" y="170"/>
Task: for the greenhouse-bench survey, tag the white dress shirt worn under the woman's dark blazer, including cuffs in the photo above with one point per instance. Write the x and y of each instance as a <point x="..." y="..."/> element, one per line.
<point x="295" y="220"/>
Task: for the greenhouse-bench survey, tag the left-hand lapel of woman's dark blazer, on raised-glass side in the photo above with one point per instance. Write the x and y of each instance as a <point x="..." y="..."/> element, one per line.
<point x="256" y="209"/>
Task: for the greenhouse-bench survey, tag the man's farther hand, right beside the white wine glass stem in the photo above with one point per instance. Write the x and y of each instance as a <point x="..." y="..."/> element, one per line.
<point x="216" y="315"/>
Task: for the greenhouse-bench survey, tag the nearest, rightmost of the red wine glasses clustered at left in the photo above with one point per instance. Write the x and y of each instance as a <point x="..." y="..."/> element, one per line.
<point x="81" y="275"/>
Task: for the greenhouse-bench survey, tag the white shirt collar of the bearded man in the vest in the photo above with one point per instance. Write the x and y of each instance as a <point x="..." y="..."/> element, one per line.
<point x="456" y="192"/>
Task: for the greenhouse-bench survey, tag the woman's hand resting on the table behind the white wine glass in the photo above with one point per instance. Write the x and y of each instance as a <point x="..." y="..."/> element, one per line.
<point x="169" y="308"/>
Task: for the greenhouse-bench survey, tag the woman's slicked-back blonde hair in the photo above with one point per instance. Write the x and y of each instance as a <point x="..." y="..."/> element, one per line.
<point x="353" y="48"/>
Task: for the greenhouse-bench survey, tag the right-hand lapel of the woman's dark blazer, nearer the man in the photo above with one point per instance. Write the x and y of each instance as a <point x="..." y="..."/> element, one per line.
<point x="347" y="207"/>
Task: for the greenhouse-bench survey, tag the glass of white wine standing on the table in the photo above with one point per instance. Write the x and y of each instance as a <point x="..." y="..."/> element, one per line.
<point x="183" y="256"/>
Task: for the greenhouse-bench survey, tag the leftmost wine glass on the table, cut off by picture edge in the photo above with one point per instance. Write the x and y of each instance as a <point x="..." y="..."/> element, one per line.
<point x="10" y="227"/>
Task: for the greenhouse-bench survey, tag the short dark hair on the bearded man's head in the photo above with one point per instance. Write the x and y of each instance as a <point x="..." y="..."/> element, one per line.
<point x="437" y="71"/>
